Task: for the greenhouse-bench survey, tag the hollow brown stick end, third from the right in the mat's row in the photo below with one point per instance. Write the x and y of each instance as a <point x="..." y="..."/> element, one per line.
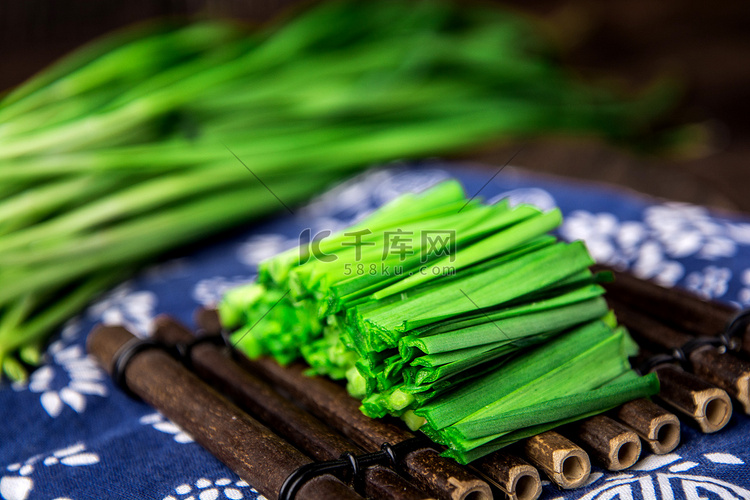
<point x="657" y="427"/>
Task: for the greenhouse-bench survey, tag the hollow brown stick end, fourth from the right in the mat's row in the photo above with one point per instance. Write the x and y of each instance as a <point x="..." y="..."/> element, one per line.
<point x="612" y="444"/>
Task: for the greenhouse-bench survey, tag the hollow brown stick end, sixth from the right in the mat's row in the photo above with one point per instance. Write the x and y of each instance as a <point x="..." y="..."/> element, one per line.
<point x="511" y="474"/>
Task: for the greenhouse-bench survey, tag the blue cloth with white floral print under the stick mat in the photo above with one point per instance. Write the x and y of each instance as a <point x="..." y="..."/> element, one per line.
<point x="70" y="434"/>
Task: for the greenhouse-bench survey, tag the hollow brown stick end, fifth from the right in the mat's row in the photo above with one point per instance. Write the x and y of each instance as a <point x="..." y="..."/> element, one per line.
<point x="564" y="462"/>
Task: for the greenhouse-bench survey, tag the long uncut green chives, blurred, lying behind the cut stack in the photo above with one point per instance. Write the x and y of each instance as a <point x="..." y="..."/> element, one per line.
<point x="119" y="152"/>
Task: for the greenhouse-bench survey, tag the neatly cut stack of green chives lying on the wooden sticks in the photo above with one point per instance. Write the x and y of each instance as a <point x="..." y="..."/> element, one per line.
<point x="467" y="320"/>
